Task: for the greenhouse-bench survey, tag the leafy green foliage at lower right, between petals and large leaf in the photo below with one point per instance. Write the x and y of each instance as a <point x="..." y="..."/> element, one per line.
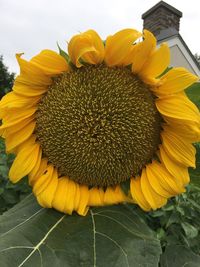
<point x="177" y="223"/>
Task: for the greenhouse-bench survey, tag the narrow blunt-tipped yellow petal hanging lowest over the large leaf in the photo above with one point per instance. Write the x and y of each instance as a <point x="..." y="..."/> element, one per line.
<point x="84" y="198"/>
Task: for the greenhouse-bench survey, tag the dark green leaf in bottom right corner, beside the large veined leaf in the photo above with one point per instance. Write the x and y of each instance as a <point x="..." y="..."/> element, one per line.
<point x="179" y="256"/>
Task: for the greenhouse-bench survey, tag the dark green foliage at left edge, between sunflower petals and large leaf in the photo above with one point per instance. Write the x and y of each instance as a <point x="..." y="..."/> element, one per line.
<point x="10" y="194"/>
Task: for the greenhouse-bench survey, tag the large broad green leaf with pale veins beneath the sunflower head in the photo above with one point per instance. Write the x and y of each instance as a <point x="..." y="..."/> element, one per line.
<point x="32" y="236"/>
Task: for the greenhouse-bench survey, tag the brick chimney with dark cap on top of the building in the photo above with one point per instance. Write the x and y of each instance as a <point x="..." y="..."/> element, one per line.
<point x="160" y="17"/>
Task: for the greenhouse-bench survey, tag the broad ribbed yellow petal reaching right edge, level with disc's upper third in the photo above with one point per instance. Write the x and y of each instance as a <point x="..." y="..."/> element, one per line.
<point x="178" y="107"/>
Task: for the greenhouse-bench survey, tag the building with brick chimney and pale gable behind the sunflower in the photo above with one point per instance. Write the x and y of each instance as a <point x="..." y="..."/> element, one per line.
<point x="164" y="21"/>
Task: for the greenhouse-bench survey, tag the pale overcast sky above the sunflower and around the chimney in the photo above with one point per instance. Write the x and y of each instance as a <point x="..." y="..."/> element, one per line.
<point x="32" y="25"/>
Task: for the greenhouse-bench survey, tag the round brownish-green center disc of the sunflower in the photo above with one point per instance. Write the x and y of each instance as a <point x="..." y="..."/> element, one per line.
<point x="99" y="126"/>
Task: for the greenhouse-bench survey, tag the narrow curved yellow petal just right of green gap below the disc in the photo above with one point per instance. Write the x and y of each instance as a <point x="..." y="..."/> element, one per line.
<point x="137" y="194"/>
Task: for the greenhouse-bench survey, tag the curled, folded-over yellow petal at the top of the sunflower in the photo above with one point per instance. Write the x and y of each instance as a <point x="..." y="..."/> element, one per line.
<point x="86" y="46"/>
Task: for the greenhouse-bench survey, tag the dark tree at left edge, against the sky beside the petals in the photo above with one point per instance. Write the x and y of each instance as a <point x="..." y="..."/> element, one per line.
<point x="6" y="78"/>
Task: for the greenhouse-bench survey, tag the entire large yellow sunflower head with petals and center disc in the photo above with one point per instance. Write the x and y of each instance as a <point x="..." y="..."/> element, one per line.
<point x="107" y="123"/>
